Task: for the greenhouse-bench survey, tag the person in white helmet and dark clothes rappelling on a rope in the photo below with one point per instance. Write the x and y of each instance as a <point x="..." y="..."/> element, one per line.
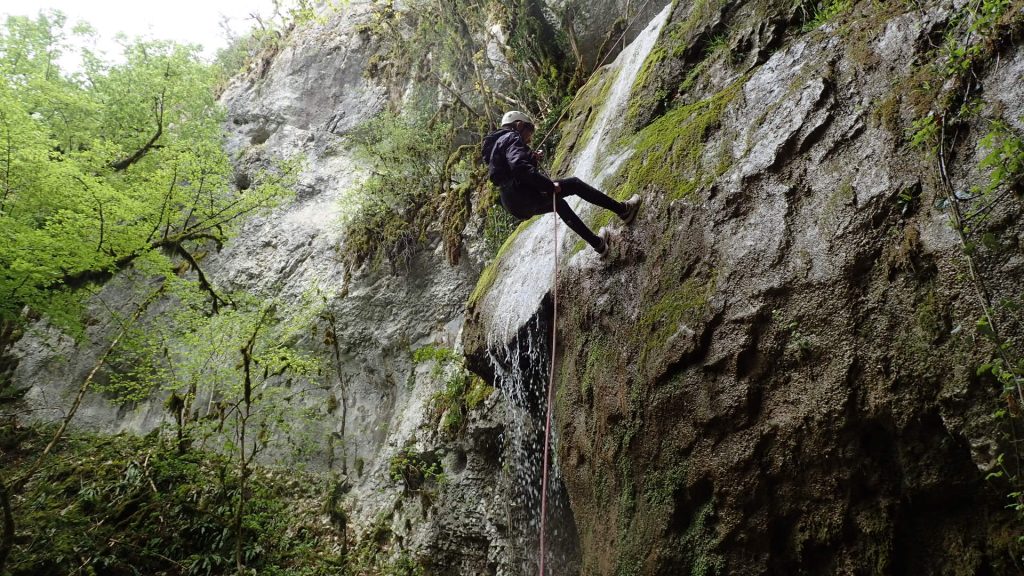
<point x="527" y="192"/>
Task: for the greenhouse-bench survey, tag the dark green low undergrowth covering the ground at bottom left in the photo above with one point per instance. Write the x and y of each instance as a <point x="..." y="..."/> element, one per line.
<point x="134" y="506"/>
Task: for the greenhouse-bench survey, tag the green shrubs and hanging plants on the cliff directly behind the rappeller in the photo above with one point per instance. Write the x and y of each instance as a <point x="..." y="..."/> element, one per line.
<point x="441" y="51"/>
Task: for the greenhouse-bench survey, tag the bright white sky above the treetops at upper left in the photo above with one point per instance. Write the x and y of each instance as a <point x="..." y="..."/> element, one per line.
<point x="196" y="22"/>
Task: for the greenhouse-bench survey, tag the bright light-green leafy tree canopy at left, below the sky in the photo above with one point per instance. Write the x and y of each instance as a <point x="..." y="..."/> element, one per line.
<point x="102" y="169"/>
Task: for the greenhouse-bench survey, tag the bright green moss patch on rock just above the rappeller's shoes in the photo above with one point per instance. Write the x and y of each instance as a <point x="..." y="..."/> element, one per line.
<point x="668" y="153"/>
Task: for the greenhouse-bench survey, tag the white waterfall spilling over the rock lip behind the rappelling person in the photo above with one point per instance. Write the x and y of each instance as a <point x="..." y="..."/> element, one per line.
<point x="518" y="311"/>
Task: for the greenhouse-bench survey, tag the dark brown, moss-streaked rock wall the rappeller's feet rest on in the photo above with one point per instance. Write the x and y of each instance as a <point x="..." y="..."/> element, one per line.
<point x="777" y="371"/>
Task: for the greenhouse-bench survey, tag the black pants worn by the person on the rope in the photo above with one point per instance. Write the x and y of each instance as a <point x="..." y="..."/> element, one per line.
<point x="525" y="202"/>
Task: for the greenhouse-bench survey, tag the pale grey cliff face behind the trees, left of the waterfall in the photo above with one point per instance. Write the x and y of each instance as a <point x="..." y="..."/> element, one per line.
<point x="375" y="405"/>
